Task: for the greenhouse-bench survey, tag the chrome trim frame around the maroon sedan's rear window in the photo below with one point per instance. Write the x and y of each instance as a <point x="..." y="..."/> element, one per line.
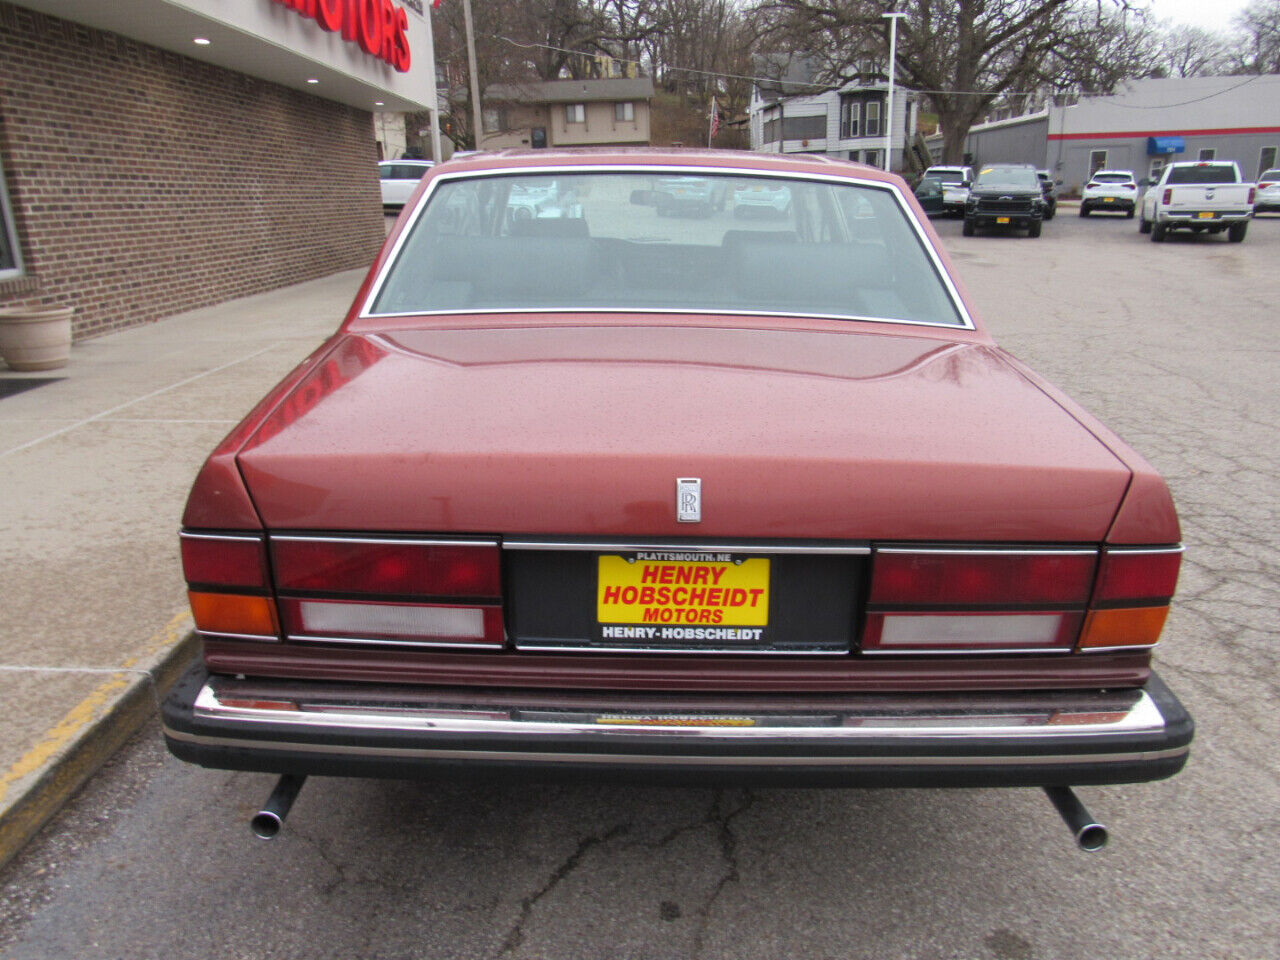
<point x="899" y="198"/>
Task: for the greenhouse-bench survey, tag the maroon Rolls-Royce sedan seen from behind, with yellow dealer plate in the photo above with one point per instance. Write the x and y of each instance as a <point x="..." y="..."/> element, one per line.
<point x="612" y="486"/>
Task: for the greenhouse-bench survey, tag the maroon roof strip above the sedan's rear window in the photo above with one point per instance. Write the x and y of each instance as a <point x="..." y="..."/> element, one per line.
<point x="670" y="157"/>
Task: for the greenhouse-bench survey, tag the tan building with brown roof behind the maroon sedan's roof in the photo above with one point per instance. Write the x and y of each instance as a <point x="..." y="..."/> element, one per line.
<point x="568" y="113"/>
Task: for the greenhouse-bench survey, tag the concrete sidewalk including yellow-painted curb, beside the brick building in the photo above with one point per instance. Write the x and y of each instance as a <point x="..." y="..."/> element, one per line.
<point x="95" y="469"/>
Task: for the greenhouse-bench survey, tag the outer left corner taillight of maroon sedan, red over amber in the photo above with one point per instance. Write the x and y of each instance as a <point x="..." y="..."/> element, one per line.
<point x="230" y="589"/>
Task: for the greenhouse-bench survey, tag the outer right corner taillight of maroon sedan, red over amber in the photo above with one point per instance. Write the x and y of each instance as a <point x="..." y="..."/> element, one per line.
<point x="1131" y="600"/>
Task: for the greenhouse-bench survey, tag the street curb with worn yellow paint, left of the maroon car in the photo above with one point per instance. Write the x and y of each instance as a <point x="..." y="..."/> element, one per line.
<point x="36" y="802"/>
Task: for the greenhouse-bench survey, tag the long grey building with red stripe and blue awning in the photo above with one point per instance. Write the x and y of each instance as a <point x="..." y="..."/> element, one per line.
<point x="1144" y="126"/>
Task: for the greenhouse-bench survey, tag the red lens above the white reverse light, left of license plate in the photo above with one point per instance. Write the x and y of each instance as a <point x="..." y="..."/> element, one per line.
<point x="390" y="568"/>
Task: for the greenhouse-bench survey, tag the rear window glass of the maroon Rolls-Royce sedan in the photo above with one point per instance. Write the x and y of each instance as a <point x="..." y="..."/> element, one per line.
<point x="674" y="243"/>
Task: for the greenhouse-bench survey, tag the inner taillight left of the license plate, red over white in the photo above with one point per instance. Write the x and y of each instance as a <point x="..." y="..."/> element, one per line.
<point x="390" y="591"/>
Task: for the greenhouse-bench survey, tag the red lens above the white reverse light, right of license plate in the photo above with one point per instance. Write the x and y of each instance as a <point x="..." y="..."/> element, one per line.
<point x="929" y="578"/>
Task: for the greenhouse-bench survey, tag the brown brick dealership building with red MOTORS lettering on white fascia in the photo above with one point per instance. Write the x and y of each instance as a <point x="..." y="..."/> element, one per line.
<point x="163" y="156"/>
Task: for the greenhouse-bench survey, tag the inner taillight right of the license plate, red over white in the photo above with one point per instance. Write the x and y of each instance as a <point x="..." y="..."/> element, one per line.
<point x="959" y="601"/>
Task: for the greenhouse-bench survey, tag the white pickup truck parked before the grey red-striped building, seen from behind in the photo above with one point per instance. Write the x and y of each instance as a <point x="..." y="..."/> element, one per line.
<point x="1199" y="196"/>
